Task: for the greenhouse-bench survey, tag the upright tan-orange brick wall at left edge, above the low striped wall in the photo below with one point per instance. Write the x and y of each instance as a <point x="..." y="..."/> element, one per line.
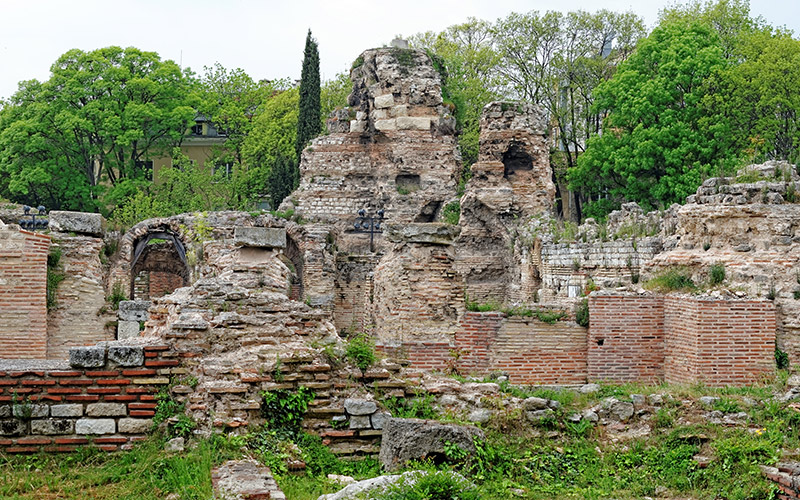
<point x="23" y="288"/>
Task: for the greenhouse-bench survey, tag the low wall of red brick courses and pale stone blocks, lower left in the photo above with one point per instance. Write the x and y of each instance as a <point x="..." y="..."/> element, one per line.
<point x="105" y="397"/>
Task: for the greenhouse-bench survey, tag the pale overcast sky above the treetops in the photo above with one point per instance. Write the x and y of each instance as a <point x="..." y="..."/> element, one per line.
<point x="265" y="38"/>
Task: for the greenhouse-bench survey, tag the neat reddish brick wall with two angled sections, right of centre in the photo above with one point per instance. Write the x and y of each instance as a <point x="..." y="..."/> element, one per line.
<point x="680" y="339"/>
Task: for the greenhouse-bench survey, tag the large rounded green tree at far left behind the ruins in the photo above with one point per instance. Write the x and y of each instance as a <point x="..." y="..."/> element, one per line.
<point x="89" y="127"/>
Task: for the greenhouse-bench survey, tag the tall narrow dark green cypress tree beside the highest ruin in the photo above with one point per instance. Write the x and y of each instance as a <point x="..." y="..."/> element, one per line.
<point x="309" y="124"/>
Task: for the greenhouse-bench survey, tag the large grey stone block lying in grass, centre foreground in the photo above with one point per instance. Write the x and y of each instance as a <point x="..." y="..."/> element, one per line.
<point x="407" y="439"/>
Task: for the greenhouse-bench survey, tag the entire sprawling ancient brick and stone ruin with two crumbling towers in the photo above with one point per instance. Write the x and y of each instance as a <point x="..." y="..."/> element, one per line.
<point x="239" y="303"/>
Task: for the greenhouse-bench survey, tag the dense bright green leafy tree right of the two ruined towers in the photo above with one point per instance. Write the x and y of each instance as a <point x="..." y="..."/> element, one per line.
<point x="654" y="149"/>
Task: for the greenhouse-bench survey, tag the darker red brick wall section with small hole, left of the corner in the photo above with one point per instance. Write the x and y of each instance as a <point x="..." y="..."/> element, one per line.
<point x="626" y="338"/>
